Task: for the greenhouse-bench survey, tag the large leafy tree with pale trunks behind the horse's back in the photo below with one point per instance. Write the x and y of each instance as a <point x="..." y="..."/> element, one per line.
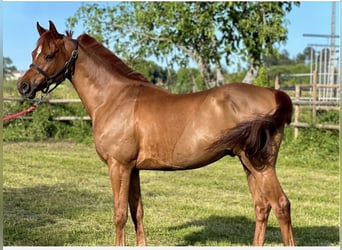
<point x="204" y="32"/>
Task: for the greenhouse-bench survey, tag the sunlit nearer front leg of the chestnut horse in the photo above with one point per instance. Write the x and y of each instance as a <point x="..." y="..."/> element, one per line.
<point x="120" y="178"/>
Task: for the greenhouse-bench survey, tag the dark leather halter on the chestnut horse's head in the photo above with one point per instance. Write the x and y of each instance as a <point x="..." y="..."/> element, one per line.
<point x="67" y="70"/>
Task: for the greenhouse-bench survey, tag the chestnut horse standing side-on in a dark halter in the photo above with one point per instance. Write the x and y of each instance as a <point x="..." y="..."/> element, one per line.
<point x="138" y="126"/>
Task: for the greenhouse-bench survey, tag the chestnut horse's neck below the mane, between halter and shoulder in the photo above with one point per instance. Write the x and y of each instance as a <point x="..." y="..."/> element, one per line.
<point x="94" y="84"/>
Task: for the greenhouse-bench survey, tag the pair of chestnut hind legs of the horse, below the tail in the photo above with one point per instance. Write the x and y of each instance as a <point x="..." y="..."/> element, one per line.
<point x="267" y="191"/>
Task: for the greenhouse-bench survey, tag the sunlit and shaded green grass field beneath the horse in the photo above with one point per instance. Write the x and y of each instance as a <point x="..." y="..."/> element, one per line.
<point x="58" y="193"/>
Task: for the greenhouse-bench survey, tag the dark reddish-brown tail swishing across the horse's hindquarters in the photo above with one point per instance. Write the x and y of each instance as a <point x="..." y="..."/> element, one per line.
<point x="255" y="137"/>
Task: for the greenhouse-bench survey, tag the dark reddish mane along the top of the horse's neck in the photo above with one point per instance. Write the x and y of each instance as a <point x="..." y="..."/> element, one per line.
<point x="108" y="59"/>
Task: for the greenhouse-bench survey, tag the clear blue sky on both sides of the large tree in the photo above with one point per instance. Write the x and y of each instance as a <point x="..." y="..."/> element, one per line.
<point x="20" y="32"/>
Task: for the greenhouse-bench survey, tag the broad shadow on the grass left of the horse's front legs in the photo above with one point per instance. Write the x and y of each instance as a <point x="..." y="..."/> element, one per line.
<point x="52" y="215"/>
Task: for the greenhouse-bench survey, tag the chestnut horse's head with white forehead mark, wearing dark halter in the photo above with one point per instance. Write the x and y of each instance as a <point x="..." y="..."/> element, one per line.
<point x="52" y="62"/>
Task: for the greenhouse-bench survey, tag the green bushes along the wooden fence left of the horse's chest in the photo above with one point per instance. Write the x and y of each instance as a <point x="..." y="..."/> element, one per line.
<point x="43" y="127"/>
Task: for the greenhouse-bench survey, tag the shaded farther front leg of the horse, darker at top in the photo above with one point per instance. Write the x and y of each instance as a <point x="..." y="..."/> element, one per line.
<point x="136" y="207"/>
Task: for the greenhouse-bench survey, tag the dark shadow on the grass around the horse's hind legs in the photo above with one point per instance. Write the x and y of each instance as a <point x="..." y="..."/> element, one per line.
<point x="239" y="230"/>
